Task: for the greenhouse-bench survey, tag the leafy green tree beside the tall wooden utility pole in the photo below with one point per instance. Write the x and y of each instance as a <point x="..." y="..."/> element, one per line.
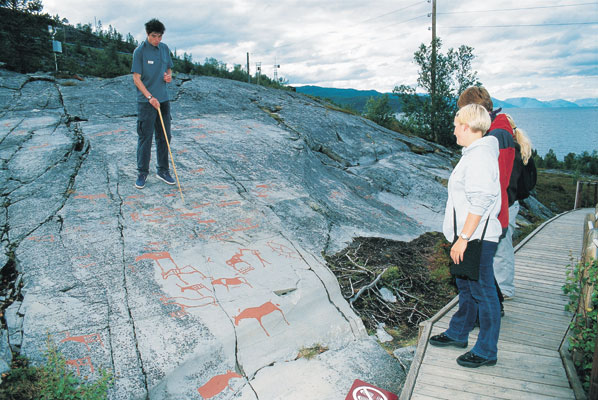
<point x="431" y="115"/>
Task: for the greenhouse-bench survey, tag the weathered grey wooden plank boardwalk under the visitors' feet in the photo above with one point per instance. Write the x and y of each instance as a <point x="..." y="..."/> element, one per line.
<point x="534" y="326"/>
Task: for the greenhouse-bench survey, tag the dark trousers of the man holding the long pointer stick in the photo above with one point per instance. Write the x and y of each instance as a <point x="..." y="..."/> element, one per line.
<point x="148" y="124"/>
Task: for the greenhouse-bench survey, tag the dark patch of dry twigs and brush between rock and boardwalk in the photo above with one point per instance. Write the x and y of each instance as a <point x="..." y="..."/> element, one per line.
<point x="396" y="283"/>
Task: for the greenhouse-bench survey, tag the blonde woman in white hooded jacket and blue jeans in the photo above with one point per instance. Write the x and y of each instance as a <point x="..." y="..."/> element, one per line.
<point x="473" y="200"/>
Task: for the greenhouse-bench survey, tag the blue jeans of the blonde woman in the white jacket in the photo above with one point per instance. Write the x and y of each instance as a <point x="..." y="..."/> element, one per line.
<point x="479" y="298"/>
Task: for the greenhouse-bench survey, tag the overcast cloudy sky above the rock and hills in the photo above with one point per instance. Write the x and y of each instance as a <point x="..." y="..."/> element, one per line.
<point x="546" y="49"/>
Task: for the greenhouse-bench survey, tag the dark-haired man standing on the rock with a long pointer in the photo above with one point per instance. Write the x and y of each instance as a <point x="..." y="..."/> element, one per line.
<point x="152" y="70"/>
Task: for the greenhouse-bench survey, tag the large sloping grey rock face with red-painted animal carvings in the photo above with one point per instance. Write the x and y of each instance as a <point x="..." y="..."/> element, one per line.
<point x="215" y="296"/>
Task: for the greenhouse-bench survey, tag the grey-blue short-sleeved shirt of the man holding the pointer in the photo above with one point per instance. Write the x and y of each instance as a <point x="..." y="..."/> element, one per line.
<point x="151" y="62"/>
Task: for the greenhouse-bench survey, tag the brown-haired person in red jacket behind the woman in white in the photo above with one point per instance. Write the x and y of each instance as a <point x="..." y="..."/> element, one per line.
<point x="508" y="159"/>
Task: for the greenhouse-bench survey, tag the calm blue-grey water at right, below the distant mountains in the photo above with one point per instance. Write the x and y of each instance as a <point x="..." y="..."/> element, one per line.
<point x="564" y="130"/>
